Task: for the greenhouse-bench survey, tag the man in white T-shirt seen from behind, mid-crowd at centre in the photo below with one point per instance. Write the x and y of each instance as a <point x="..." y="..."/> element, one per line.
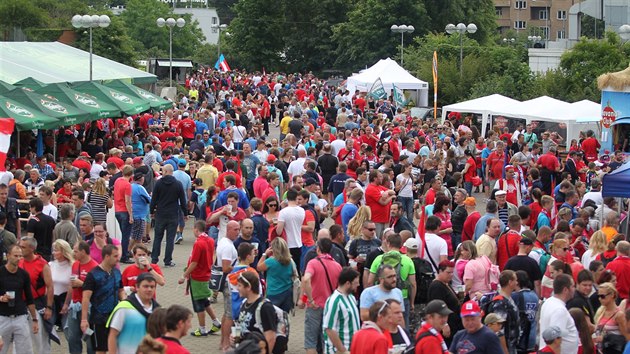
<point x="290" y="219"/>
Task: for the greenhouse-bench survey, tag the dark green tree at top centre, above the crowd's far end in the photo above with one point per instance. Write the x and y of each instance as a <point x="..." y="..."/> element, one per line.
<point x="255" y="35"/>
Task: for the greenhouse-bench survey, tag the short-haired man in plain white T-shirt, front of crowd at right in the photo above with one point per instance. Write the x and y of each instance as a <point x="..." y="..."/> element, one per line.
<point x="554" y="313"/>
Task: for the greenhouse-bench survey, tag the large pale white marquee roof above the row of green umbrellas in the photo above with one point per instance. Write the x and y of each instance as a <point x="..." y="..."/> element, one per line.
<point x="54" y="62"/>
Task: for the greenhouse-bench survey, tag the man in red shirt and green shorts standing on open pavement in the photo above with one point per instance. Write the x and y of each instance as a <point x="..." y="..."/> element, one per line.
<point x="198" y="274"/>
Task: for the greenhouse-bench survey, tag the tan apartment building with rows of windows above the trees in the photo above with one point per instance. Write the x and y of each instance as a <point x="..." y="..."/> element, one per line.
<point x="545" y="18"/>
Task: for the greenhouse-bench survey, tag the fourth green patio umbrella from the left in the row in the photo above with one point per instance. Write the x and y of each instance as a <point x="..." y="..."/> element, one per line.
<point x="127" y="104"/>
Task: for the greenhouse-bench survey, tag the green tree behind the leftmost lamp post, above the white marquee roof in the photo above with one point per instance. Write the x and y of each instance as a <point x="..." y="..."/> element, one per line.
<point x="112" y="43"/>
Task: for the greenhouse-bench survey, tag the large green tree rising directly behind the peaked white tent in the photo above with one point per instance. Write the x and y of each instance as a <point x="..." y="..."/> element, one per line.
<point x="366" y="36"/>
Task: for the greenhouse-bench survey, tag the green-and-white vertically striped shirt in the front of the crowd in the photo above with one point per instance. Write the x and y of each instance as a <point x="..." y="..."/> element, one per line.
<point x="341" y="314"/>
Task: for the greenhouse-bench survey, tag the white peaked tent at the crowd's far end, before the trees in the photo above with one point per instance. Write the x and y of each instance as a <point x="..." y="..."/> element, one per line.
<point x="390" y="74"/>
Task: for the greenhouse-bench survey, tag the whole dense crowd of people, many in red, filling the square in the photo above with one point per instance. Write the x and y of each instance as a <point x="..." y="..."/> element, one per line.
<point x="360" y="215"/>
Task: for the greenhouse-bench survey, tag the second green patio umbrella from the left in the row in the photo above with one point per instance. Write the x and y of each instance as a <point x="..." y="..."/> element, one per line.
<point x="64" y="113"/>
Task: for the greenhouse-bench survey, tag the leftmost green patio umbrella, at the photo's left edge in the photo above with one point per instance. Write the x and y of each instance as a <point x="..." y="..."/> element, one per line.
<point x="26" y="117"/>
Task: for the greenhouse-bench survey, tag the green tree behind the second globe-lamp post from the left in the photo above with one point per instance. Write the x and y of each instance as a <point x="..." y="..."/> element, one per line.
<point x="140" y="19"/>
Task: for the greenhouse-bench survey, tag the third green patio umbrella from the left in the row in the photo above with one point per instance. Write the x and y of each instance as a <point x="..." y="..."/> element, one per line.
<point x="96" y="108"/>
